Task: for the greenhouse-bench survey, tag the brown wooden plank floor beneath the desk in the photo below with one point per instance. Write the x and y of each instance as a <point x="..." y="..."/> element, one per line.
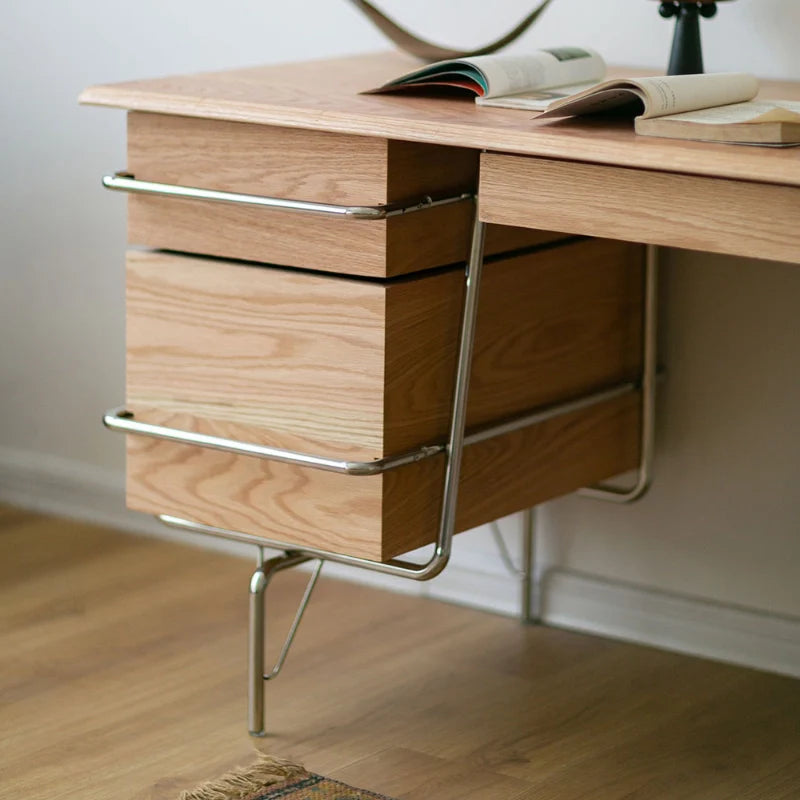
<point x="122" y="675"/>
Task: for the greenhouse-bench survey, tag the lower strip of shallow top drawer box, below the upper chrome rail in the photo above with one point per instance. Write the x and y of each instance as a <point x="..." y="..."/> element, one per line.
<point x="377" y="248"/>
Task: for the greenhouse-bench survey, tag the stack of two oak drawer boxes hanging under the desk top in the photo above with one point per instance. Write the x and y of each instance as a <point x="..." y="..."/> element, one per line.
<point x="338" y="337"/>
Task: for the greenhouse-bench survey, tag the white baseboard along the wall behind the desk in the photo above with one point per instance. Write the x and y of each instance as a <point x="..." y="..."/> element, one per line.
<point x="476" y="576"/>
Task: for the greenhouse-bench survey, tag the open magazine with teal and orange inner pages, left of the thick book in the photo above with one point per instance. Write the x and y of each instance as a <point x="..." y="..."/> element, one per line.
<point x="531" y="81"/>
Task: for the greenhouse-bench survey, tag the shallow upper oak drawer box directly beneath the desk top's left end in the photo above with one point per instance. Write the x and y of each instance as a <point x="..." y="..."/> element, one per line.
<point x="310" y="166"/>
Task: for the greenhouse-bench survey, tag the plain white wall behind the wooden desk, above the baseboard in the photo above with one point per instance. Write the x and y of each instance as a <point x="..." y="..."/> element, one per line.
<point x="723" y="518"/>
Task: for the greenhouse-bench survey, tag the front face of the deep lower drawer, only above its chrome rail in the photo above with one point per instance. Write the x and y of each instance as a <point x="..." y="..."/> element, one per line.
<point x="274" y="356"/>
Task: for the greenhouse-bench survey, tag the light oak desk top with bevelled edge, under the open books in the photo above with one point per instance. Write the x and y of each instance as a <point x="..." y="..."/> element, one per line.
<point x="324" y="95"/>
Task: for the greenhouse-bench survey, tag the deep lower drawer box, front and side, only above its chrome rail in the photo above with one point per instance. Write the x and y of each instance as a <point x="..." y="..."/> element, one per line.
<point x="362" y="369"/>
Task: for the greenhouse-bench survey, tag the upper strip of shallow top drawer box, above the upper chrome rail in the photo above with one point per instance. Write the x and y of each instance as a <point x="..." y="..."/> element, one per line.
<point x="293" y="163"/>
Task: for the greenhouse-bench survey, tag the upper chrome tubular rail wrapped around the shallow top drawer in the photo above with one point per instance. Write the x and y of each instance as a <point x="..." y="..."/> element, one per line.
<point x="125" y="182"/>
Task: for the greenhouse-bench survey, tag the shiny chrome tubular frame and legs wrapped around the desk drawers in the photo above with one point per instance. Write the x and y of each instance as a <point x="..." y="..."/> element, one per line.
<point x="121" y="420"/>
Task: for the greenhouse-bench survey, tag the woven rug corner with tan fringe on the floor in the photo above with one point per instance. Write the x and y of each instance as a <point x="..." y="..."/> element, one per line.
<point x="274" y="779"/>
